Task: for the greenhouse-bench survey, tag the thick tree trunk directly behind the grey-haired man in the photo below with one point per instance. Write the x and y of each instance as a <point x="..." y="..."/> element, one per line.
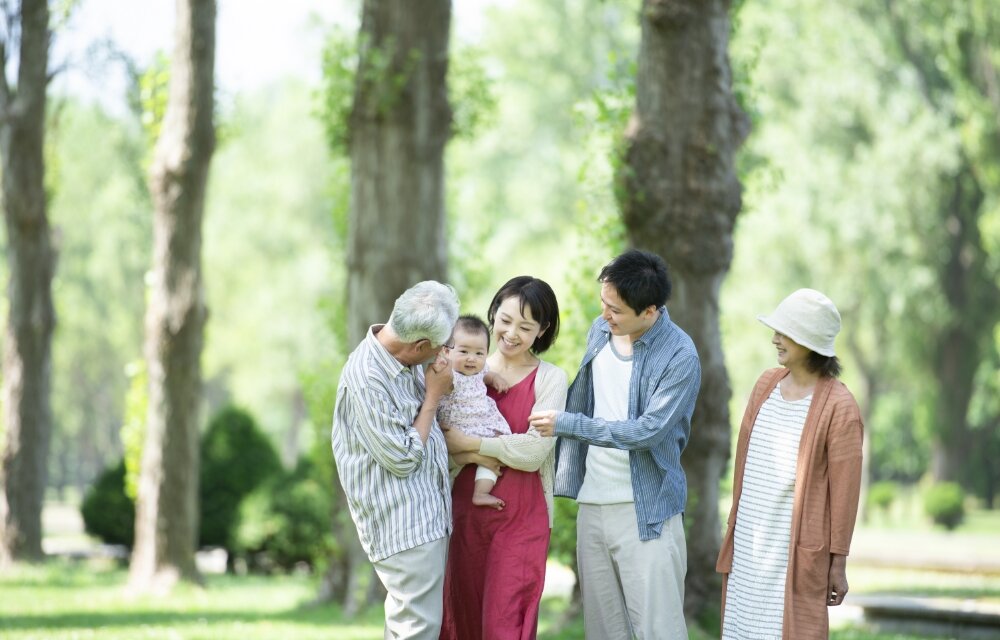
<point x="400" y="123"/>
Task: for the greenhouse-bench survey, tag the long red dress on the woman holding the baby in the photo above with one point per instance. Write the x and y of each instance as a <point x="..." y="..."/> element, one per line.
<point x="496" y="559"/>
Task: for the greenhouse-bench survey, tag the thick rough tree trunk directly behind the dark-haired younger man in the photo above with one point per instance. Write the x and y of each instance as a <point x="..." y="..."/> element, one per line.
<point x="680" y="196"/>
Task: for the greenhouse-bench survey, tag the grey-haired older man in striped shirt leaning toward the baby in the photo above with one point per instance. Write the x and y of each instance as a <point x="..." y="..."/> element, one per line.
<point x="391" y="455"/>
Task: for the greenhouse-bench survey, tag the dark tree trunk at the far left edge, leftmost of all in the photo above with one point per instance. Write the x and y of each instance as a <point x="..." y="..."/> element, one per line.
<point x="27" y="361"/>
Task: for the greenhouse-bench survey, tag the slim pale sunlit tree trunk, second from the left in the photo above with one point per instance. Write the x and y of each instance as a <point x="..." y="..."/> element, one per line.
<point x="167" y="505"/>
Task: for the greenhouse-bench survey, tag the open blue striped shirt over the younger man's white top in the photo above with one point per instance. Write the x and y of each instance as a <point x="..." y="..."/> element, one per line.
<point x="666" y="377"/>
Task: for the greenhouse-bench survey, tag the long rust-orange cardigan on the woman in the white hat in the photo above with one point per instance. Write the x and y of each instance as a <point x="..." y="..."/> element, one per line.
<point x="827" y="486"/>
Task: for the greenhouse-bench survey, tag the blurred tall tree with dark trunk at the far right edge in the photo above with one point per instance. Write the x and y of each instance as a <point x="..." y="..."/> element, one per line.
<point x="956" y="60"/>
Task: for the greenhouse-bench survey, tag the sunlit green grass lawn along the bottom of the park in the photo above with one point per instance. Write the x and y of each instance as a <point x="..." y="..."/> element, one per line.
<point x="76" y="600"/>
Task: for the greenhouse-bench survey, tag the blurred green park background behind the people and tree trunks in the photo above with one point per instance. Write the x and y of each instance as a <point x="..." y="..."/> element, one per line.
<point x="871" y="172"/>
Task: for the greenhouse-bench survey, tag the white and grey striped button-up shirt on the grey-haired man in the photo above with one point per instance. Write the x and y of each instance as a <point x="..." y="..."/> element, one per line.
<point x="397" y="486"/>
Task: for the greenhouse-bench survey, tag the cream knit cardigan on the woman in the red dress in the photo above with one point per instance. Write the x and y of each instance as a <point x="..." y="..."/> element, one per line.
<point x="531" y="451"/>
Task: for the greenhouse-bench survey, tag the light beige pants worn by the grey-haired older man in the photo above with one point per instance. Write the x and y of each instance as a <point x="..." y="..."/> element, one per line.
<point x="414" y="580"/>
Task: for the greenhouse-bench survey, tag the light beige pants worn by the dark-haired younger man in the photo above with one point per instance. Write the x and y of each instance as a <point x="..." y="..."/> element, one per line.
<point x="631" y="588"/>
